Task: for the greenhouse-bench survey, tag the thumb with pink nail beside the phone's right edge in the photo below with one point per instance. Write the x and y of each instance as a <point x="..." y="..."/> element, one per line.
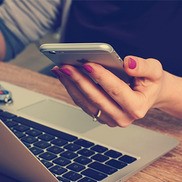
<point x="139" y="67"/>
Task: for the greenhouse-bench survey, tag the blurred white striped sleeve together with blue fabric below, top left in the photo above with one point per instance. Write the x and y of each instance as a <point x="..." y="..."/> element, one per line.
<point x="23" y="22"/>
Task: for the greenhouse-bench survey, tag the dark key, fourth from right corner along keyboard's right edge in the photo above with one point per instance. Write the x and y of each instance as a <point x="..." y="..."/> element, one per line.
<point x="96" y="175"/>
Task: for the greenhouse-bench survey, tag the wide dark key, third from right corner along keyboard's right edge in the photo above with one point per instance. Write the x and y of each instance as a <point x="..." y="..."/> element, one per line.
<point x="102" y="168"/>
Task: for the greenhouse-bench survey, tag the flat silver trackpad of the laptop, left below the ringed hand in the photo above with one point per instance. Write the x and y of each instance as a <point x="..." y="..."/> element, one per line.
<point x="60" y="115"/>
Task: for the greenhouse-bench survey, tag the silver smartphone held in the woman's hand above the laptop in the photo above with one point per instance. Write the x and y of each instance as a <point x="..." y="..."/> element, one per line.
<point x="77" y="54"/>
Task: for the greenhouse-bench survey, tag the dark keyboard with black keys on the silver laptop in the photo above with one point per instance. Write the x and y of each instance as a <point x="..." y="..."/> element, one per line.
<point x="68" y="157"/>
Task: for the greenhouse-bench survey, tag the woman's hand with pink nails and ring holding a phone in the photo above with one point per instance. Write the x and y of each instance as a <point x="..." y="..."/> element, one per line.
<point x="120" y="104"/>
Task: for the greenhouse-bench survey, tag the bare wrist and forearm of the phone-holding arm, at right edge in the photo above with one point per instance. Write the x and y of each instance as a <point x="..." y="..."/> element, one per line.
<point x="171" y="95"/>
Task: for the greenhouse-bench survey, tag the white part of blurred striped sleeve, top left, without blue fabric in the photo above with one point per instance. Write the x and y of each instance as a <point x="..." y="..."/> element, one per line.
<point x="31" y="19"/>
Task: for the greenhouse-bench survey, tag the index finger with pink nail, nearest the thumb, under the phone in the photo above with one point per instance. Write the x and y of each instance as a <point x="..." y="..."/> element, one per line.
<point x="115" y="87"/>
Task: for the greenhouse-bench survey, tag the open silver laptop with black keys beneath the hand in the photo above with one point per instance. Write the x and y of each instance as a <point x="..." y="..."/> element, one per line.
<point x="44" y="139"/>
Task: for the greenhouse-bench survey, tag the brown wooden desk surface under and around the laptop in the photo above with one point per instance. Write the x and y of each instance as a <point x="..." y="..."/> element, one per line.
<point x="167" y="169"/>
